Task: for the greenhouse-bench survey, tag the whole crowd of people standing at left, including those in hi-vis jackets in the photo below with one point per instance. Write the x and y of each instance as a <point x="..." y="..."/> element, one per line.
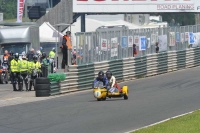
<point x="21" y="71"/>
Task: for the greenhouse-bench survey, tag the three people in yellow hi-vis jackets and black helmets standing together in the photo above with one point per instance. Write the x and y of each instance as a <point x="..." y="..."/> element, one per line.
<point x="22" y="70"/>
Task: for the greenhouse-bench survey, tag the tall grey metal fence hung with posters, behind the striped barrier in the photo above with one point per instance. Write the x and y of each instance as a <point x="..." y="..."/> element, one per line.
<point x="111" y="43"/>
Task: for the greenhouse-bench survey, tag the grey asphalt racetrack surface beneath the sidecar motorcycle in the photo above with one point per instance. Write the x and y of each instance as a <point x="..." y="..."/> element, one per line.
<point x="150" y="100"/>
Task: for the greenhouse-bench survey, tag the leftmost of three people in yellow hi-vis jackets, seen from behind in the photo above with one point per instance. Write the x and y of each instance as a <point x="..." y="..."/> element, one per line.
<point x="14" y="67"/>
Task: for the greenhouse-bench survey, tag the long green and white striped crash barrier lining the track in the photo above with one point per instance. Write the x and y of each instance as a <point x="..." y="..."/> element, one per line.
<point x="81" y="77"/>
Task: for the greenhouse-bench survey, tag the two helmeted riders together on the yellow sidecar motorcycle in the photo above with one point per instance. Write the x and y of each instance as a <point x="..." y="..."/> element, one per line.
<point x="108" y="80"/>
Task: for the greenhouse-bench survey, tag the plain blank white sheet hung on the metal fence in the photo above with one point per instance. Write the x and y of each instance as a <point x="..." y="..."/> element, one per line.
<point x="162" y="41"/>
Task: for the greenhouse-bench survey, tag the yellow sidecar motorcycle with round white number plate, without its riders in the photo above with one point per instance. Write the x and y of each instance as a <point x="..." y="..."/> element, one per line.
<point x="101" y="92"/>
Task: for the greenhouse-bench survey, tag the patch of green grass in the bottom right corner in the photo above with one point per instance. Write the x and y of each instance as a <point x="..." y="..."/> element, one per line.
<point x="186" y="124"/>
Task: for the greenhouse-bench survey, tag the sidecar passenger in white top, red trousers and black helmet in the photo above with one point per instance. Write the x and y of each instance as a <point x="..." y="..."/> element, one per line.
<point x="112" y="80"/>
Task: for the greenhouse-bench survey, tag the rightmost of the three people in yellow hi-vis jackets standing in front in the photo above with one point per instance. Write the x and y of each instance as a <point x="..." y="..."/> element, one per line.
<point x="34" y="65"/>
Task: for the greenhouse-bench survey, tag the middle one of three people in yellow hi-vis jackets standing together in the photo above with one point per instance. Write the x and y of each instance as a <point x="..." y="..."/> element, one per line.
<point x="24" y="67"/>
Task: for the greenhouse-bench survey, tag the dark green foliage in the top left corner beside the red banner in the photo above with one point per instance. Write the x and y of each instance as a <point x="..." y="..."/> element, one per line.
<point x="9" y="9"/>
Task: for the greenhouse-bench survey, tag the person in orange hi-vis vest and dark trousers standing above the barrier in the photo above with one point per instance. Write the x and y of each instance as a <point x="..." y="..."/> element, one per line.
<point x="66" y="45"/>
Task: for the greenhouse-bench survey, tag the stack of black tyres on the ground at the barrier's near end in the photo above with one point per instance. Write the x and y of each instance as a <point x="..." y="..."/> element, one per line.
<point x="42" y="87"/>
